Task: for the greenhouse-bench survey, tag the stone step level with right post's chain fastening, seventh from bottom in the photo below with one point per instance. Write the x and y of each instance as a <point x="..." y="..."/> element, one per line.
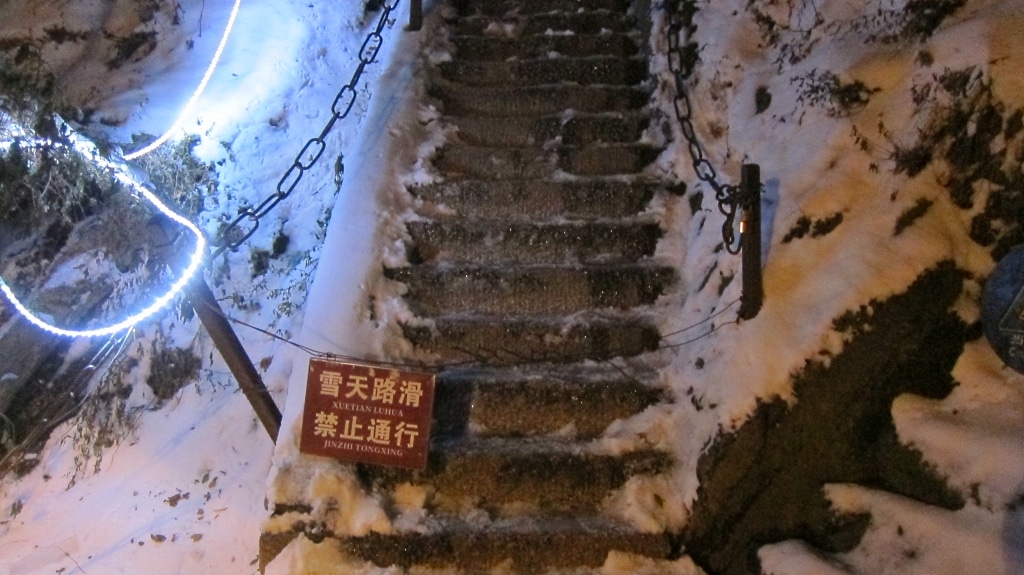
<point x="538" y="200"/>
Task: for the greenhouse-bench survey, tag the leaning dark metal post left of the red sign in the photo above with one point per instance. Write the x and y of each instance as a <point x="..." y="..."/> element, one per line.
<point x="235" y="356"/>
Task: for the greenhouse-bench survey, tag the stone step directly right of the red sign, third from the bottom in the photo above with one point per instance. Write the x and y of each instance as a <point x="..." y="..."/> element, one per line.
<point x="577" y="401"/>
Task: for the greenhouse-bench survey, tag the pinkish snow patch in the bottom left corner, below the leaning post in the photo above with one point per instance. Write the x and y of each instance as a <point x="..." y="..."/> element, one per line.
<point x="154" y="506"/>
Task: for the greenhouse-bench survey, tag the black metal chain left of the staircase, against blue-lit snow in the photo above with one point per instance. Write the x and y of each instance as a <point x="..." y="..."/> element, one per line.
<point x="234" y="235"/>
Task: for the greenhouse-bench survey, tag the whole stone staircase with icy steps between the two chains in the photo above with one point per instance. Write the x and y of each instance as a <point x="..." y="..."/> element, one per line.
<point x="532" y="268"/>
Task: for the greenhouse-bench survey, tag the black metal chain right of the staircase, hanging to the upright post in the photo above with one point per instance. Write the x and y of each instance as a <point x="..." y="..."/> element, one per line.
<point x="729" y="196"/>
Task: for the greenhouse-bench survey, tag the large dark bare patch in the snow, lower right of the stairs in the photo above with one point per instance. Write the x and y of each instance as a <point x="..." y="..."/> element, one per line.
<point x="763" y="483"/>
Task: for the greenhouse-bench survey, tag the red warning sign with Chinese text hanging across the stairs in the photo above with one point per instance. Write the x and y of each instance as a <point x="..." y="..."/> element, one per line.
<point x="367" y="415"/>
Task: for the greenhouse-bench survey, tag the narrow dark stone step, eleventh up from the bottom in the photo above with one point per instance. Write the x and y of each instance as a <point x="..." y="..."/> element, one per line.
<point x="587" y="71"/>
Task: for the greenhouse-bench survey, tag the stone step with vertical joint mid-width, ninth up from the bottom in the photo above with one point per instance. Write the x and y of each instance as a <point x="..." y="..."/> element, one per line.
<point x="577" y="130"/>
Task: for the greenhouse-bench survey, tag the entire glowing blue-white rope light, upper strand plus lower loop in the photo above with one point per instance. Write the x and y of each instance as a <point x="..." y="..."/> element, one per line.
<point x="121" y="173"/>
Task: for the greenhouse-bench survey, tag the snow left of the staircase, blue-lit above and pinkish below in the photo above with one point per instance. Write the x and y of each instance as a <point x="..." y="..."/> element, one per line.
<point x="184" y="489"/>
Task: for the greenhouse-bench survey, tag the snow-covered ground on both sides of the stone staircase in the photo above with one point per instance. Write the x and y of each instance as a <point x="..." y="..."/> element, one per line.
<point x="184" y="491"/>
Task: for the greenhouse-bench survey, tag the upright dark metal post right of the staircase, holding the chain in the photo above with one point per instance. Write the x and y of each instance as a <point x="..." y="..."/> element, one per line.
<point x="750" y="242"/>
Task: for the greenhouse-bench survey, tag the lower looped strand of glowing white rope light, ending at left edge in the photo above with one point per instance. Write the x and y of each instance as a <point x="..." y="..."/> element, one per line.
<point x="123" y="175"/>
